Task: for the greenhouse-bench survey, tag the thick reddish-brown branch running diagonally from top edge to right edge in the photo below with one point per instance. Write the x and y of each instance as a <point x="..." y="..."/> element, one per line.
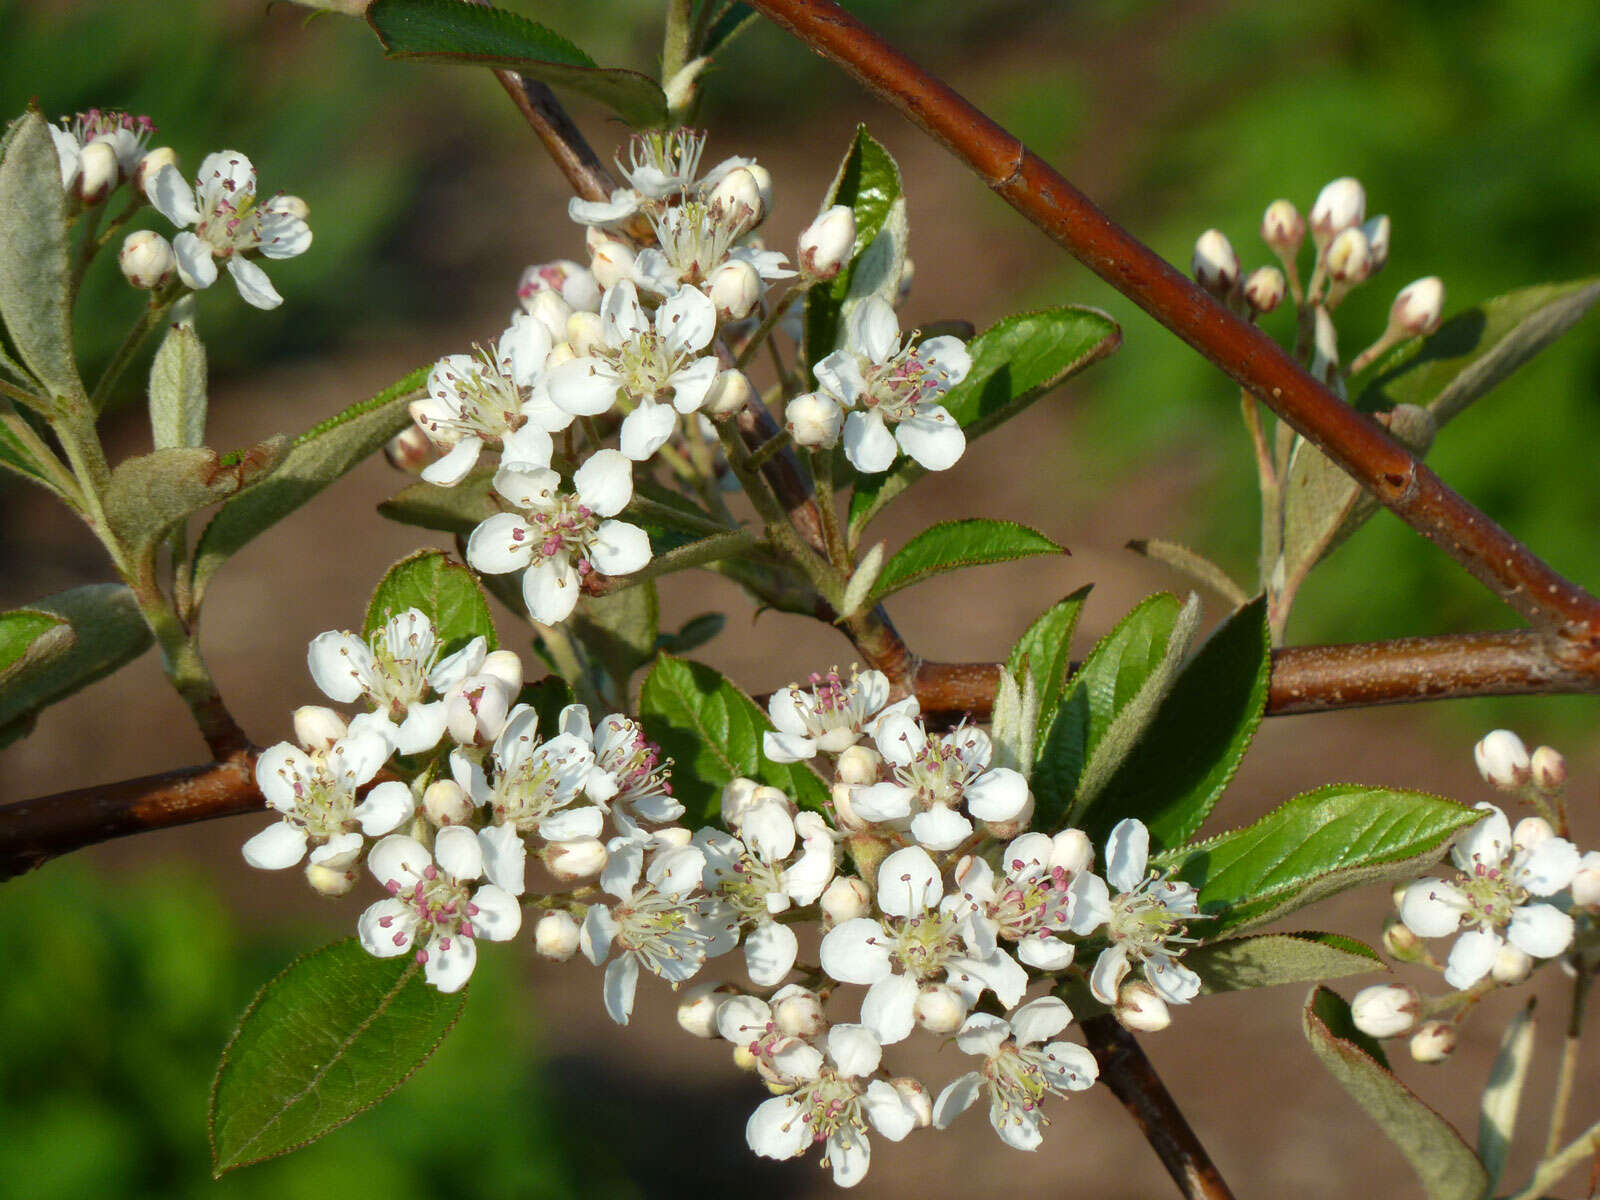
<point x="1364" y="450"/>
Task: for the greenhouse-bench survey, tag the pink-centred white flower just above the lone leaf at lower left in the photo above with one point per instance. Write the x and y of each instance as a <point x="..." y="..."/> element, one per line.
<point x="438" y="905"/>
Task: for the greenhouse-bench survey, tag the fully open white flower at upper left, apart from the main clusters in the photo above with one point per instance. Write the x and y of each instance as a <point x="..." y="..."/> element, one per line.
<point x="228" y="225"/>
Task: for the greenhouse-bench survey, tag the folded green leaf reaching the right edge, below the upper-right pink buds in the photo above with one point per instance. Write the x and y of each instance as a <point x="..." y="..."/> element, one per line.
<point x="1476" y="350"/>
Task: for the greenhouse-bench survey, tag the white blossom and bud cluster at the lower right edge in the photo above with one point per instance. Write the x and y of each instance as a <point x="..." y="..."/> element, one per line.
<point x="1521" y="894"/>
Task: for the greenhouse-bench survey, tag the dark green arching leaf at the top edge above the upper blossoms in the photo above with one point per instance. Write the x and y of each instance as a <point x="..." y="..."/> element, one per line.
<point x="449" y="31"/>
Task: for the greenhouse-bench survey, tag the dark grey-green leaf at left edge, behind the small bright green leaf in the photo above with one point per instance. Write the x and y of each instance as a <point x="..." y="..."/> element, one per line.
<point x="108" y="633"/>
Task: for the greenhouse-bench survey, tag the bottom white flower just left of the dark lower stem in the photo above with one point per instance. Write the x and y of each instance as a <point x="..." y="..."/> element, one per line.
<point x="1018" y="1073"/>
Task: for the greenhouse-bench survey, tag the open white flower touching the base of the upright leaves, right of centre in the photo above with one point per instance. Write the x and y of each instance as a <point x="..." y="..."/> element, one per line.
<point x="937" y="777"/>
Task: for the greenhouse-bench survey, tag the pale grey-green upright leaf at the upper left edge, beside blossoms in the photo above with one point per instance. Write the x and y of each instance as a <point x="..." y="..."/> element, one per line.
<point x="36" y="281"/>
